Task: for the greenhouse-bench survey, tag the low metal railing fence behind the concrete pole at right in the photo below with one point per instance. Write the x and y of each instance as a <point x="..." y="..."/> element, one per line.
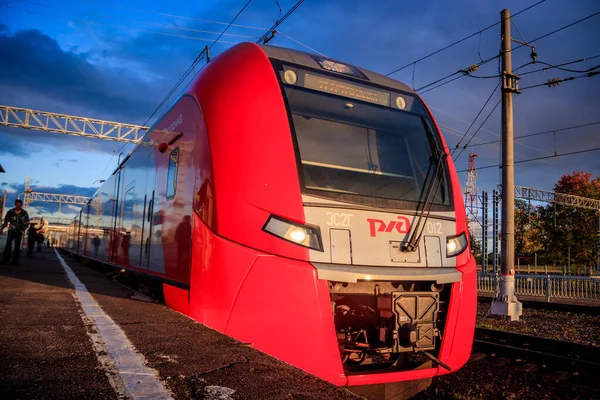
<point x="547" y="286"/>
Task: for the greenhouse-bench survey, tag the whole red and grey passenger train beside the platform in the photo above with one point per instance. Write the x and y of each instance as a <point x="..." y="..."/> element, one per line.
<point x="303" y="205"/>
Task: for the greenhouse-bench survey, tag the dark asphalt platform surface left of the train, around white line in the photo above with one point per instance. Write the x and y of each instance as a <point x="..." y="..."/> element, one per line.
<point x="50" y="348"/>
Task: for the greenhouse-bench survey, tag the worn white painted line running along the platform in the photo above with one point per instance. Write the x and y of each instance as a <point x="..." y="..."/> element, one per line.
<point x="135" y="378"/>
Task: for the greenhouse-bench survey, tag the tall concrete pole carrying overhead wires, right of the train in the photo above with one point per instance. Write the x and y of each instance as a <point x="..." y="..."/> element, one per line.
<point x="505" y="302"/>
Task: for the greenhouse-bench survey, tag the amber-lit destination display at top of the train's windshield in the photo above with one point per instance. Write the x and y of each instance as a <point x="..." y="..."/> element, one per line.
<point x="346" y="89"/>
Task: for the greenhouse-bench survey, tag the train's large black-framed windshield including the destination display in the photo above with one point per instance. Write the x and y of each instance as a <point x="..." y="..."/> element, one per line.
<point x="363" y="144"/>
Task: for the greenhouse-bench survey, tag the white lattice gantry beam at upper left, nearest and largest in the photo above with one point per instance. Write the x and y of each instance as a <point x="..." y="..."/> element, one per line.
<point x="16" y="117"/>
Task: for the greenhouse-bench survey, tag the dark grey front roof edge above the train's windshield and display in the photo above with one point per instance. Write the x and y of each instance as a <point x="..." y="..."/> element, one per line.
<point x="309" y="60"/>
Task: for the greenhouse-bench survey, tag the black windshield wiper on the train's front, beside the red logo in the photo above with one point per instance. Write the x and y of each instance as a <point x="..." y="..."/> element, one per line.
<point x="437" y="157"/>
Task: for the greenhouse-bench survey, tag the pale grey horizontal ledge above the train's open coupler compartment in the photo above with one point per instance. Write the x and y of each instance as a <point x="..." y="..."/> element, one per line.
<point x="354" y="273"/>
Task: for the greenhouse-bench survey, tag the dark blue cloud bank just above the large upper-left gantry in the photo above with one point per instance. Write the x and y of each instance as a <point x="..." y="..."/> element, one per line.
<point x="34" y="64"/>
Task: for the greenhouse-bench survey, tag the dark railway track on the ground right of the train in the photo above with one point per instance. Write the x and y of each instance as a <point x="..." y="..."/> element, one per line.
<point x="560" y="355"/>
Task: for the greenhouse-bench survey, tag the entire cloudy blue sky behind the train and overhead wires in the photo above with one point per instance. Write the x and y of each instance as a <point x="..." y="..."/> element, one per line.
<point x="95" y="59"/>
